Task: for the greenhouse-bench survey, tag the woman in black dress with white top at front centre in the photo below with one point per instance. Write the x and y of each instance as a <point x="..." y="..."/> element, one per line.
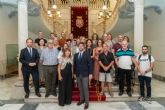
<point x="65" y="78"/>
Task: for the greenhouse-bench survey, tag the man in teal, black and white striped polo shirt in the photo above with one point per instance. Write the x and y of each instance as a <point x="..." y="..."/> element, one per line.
<point x="124" y="59"/>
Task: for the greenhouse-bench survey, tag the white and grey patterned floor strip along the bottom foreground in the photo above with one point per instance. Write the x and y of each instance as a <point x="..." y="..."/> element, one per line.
<point x="155" y="105"/>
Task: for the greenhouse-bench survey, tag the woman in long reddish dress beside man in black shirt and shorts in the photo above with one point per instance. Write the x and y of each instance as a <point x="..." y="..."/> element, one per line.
<point x="96" y="53"/>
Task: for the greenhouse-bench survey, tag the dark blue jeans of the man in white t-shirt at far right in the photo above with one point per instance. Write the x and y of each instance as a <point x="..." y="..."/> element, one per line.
<point x="145" y="80"/>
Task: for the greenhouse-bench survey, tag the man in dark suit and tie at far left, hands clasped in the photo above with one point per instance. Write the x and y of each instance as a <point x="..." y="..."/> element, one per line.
<point x="29" y="58"/>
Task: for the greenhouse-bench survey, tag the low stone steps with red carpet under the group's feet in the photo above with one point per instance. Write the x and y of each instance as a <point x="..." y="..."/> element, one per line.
<point x="93" y="96"/>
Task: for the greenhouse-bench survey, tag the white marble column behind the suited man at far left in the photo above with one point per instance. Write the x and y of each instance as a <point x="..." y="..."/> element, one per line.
<point x="22" y="27"/>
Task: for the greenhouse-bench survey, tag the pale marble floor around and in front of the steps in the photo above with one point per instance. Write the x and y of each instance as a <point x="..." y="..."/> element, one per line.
<point x="7" y="103"/>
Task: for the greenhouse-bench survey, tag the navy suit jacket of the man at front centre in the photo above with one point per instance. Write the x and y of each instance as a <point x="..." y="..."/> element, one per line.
<point x="83" y="66"/>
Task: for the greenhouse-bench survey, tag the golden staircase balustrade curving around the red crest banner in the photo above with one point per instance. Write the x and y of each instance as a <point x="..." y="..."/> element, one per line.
<point x="113" y="5"/>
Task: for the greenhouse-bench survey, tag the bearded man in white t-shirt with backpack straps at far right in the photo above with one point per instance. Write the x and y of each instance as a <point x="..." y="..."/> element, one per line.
<point x="145" y="67"/>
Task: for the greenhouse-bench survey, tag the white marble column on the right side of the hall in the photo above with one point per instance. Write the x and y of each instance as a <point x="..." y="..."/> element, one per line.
<point x="138" y="25"/>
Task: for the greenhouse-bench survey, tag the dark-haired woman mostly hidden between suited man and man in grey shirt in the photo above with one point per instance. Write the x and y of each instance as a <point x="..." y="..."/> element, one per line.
<point x="40" y="67"/>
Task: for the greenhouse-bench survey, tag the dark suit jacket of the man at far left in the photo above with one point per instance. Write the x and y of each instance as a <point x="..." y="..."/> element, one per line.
<point x="25" y="58"/>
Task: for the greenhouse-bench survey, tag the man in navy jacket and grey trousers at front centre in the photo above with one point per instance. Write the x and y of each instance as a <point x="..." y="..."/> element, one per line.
<point x="83" y="71"/>
